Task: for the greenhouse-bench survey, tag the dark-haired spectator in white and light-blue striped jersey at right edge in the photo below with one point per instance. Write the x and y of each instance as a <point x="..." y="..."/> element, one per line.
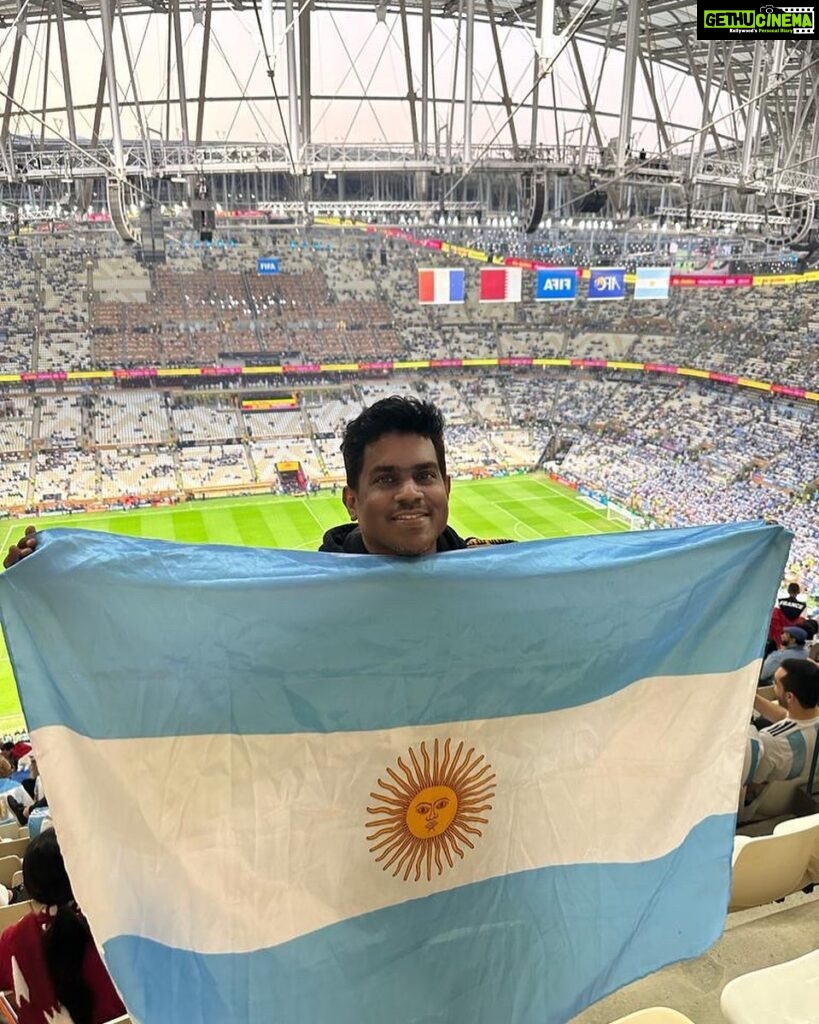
<point x="784" y="750"/>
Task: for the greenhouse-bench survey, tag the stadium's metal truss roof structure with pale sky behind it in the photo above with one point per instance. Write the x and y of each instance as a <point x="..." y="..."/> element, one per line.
<point x="540" y="105"/>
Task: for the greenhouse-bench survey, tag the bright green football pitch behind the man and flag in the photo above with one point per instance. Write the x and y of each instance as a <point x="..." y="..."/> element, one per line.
<point x="524" y="508"/>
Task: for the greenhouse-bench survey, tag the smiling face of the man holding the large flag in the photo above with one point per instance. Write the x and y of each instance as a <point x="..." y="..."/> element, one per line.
<point x="403" y="499"/>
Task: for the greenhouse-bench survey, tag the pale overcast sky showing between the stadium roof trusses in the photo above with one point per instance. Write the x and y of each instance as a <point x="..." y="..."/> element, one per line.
<point x="355" y="56"/>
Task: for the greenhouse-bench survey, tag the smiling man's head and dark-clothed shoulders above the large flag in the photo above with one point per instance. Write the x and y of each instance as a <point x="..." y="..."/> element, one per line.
<point x="398" y="492"/>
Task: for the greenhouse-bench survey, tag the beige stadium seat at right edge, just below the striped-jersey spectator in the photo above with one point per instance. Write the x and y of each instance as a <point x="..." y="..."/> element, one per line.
<point x="769" y="868"/>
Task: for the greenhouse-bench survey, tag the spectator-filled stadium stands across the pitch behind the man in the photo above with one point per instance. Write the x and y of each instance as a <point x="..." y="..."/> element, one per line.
<point x="662" y="441"/>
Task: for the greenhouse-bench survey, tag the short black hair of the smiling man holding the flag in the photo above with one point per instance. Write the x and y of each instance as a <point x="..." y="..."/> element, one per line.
<point x="397" y="415"/>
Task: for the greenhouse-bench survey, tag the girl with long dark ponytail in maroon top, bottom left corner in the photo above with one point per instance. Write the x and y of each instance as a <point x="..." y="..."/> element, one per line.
<point x="49" y="958"/>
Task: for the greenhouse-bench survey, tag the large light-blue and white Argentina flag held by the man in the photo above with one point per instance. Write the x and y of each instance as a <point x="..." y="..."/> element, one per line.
<point x="351" y="790"/>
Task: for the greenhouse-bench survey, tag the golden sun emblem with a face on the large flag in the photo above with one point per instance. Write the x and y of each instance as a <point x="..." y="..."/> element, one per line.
<point x="429" y="810"/>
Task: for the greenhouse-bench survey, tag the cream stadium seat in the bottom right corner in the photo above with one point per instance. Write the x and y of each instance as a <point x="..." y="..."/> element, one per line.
<point x="786" y="994"/>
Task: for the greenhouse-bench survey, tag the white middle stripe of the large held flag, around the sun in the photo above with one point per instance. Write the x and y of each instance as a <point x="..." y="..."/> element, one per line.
<point x="298" y="808"/>
